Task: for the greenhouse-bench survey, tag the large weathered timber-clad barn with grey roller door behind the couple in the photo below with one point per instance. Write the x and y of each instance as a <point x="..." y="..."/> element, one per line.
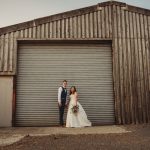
<point x="104" y="50"/>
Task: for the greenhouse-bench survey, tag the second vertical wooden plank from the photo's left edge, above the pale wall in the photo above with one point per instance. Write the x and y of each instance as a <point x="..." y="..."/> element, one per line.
<point x="6" y="52"/>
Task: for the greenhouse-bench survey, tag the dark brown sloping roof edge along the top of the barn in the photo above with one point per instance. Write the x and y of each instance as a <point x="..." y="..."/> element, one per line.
<point x="71" y="13"/>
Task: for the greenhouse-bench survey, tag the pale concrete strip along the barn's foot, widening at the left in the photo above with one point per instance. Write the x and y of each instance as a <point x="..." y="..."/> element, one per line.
<point x="11" y="135"/>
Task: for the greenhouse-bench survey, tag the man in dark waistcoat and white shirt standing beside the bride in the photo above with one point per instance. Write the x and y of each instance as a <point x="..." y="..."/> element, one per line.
<point x="62" y="101"/>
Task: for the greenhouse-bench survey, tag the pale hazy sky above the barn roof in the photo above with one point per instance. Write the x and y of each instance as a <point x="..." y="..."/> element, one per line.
<point x="17" y="11"/>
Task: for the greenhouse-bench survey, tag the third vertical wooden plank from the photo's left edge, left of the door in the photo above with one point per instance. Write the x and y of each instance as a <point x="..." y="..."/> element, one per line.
<point x="11" y="51"/>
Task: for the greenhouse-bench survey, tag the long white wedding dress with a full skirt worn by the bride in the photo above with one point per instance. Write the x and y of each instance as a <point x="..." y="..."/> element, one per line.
<point x="78" y="119"/>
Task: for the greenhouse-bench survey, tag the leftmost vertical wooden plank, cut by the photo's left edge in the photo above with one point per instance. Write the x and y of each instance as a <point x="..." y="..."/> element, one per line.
<point x="1" y="52"/>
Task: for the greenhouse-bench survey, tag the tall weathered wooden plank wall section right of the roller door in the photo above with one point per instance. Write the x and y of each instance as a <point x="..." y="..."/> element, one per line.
<point x="131" y="57"/>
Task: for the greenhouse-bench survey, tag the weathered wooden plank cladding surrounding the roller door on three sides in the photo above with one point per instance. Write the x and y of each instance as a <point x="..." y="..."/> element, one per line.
<point x="129" y="30"/>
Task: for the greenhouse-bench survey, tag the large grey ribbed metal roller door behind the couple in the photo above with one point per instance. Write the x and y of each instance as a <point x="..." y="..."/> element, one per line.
<point x="41" y="70"/>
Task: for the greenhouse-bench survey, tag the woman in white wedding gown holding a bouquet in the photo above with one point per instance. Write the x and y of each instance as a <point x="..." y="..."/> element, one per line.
<point x="76" y="116"/>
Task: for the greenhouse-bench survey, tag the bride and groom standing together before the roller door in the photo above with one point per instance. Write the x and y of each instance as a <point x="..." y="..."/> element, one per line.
<point x="76" y="116"/>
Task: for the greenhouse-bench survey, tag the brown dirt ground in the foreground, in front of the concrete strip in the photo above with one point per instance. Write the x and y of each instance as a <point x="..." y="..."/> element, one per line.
<point x="138" y="139"/>
